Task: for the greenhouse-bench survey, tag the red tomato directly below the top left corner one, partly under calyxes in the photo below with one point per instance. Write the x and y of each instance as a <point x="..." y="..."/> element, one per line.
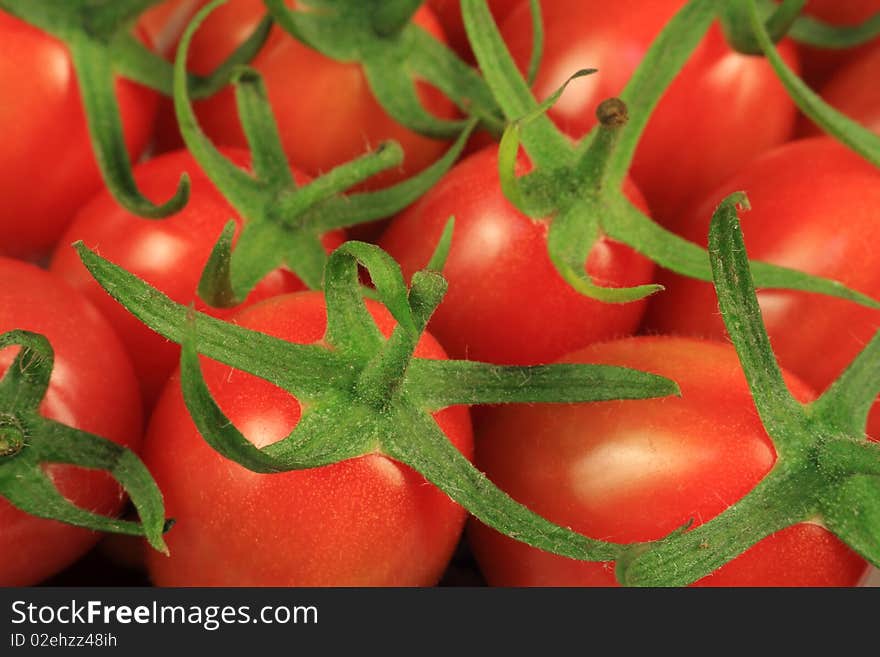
<point x="170" y="254"/>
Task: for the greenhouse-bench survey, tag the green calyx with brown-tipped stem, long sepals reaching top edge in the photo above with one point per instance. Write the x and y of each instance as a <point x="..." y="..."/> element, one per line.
<point x="577" y="188"/>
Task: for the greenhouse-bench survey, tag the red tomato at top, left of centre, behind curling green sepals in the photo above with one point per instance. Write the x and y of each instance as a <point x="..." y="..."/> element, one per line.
<point x="327" y="93"/>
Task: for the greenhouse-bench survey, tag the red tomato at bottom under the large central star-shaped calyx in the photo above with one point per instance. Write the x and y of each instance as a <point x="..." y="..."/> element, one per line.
<point x="363" y="522"/>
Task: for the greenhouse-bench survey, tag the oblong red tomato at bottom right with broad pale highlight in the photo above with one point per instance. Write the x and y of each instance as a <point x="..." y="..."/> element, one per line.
<point x="632" y="471"/>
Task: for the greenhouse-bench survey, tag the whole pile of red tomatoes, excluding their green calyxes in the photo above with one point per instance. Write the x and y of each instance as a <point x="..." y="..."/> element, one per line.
<point x="625" y="471"/>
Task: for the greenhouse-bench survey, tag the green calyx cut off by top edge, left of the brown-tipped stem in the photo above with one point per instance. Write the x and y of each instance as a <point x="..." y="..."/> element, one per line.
<point x="394" y="53"/>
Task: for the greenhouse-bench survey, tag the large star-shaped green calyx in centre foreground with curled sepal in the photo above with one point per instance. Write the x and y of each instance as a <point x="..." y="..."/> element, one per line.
<point x="364" y="393"/>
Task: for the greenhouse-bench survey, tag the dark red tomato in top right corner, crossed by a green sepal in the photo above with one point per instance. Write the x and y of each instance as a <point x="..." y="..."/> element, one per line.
<point x="819" y="63"/>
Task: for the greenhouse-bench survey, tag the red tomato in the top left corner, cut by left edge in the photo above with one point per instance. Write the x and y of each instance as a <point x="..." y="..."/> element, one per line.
<point x="47" y="169"/>
